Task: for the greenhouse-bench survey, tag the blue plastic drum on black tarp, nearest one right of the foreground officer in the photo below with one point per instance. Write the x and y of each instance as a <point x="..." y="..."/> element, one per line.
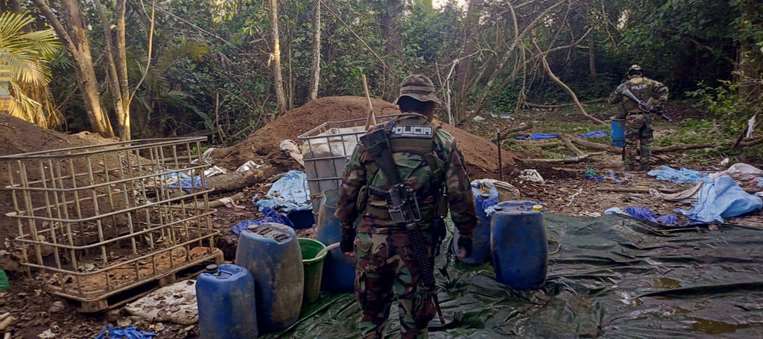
<point x="518" y="243"/>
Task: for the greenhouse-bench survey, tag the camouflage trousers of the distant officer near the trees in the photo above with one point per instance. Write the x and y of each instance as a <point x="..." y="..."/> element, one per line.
<point x="638" y="139"/>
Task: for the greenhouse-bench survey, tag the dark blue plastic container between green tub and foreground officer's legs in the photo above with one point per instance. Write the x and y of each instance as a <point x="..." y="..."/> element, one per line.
<point x="338" y="271"/>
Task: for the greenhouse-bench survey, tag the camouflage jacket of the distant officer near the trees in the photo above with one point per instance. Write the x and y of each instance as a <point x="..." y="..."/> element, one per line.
<point x="646" y="89"/>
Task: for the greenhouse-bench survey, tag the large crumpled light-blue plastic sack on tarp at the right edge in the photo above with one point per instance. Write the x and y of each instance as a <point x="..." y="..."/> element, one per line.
<point x="721" y="198"/>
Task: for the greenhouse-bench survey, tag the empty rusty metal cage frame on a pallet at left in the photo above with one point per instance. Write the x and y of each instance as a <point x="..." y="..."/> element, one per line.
<point x="100" y="219"/>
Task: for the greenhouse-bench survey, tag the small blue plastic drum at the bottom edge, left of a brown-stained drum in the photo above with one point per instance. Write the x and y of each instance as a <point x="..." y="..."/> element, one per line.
<point x="225" y="297"/>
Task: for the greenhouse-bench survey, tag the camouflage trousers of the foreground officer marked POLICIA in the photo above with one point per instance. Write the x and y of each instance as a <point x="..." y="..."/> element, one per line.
<point x="386" y="267"/>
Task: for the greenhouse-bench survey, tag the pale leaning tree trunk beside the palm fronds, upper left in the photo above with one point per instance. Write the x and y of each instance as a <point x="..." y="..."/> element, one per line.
<point x="78" y="45"/>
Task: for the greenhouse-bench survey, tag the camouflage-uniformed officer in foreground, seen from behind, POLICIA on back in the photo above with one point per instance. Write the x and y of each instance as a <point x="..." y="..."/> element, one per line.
<point x="387" y="266"/>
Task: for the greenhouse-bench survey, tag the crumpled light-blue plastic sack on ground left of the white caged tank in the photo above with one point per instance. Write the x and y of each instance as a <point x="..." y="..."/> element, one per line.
<point x="288" y="193"/>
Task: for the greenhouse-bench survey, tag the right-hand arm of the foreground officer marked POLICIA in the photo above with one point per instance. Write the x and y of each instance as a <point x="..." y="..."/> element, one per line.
<point x="460" y="199"/>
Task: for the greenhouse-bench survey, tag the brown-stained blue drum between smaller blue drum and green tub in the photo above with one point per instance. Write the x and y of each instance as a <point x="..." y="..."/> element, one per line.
<point x="272" y="254"/>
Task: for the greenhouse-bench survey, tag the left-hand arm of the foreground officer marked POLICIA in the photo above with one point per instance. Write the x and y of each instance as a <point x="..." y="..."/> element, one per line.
<point x="347" y="210"/>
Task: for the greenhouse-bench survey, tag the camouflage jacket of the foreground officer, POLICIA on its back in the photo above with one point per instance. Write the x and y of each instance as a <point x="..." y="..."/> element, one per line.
<point x="443" y="182"/>
